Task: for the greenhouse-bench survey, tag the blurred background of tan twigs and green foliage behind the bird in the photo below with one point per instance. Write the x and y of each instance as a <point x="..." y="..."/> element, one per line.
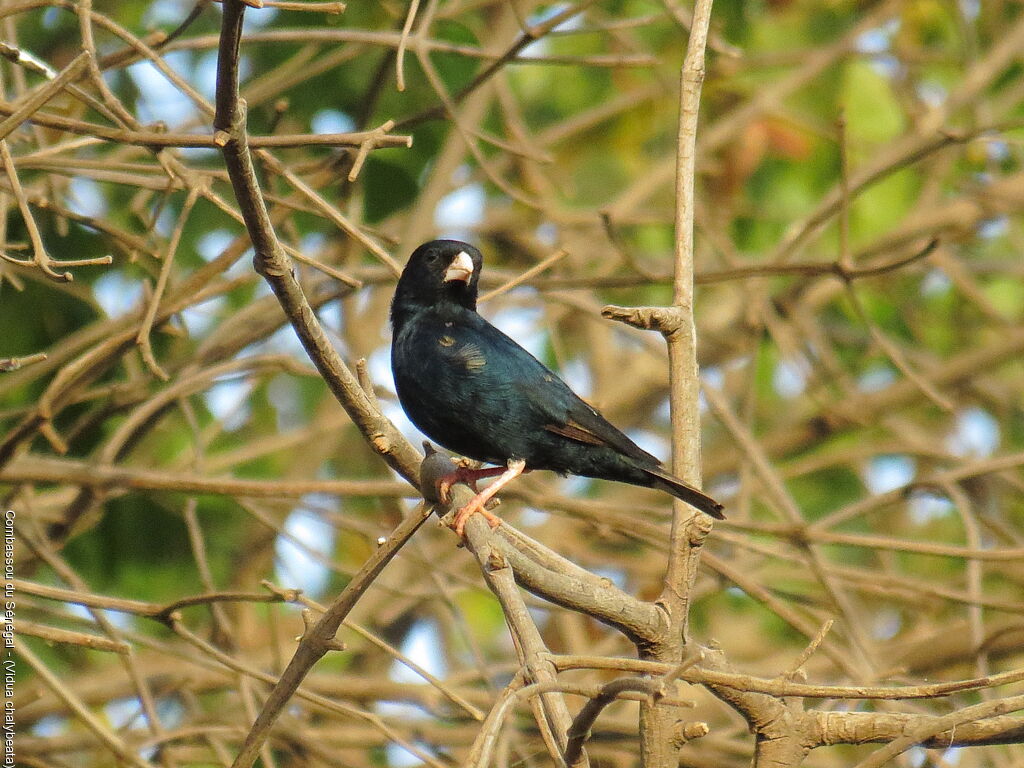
<point x="880" y="380"/>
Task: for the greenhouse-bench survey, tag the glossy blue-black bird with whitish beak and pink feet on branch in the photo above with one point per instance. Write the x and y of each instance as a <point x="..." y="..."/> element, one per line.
<point x="472" y="389"/>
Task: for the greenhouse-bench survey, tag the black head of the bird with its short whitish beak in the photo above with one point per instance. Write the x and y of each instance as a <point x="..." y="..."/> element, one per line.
<point x="440" y="272"/>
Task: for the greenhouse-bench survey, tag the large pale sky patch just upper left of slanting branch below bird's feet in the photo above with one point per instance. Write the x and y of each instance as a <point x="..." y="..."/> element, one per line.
<point x="308" y="540"/>
